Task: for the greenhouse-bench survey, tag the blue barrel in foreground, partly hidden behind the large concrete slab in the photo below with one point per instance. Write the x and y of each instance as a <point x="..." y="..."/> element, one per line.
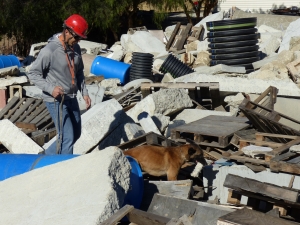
<point x="16" y="164"/>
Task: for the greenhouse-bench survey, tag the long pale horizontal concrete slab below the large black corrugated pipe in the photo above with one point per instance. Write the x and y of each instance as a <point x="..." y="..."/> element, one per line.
<point x="238" y="84"/>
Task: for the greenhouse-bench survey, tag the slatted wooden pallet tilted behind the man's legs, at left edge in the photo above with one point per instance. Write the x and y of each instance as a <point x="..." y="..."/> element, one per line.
<point x="32" y="116"/>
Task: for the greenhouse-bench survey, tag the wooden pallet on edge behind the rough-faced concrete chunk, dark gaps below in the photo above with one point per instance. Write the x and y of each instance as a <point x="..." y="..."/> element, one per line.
<point x="199" y="92"/>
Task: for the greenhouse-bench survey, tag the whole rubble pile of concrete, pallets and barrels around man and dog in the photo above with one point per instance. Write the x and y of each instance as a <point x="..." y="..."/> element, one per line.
<point x="246" y="122"/>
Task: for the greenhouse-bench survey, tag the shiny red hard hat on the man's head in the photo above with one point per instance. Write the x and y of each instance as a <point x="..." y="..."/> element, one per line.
<point x="78" y="24"/>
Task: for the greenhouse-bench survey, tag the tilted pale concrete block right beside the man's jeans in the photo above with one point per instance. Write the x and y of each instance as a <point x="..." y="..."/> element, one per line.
<point x="97" y="122"/>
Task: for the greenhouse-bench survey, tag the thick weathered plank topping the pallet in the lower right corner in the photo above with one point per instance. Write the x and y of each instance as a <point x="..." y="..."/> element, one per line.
<point x="250" y="185"/>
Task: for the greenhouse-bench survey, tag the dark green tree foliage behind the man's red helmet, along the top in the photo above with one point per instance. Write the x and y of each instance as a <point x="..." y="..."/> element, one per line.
<point x="31" y="21"/>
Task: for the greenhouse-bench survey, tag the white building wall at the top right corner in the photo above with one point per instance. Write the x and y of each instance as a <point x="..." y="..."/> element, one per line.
<point x="257" y="5"/>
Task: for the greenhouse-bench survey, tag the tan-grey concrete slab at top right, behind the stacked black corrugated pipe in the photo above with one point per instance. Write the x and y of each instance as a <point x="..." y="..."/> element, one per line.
<point x="276" y="21"/>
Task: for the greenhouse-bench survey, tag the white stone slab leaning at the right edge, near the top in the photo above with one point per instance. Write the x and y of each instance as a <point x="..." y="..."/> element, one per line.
<point x="292" y="31"/>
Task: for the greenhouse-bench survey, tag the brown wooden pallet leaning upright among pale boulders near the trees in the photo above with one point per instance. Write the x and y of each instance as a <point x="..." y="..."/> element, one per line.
<point x="178" y="37"/>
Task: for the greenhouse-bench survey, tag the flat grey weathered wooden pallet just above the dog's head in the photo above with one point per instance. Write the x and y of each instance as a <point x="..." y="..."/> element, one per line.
<point x="217" y="130"/>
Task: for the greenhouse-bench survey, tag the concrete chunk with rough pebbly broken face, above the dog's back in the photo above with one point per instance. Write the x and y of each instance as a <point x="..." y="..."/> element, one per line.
<point x="164" y="101"/>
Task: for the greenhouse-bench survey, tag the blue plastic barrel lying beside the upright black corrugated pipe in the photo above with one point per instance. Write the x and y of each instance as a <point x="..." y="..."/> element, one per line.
<point x="110" y="68"/>
